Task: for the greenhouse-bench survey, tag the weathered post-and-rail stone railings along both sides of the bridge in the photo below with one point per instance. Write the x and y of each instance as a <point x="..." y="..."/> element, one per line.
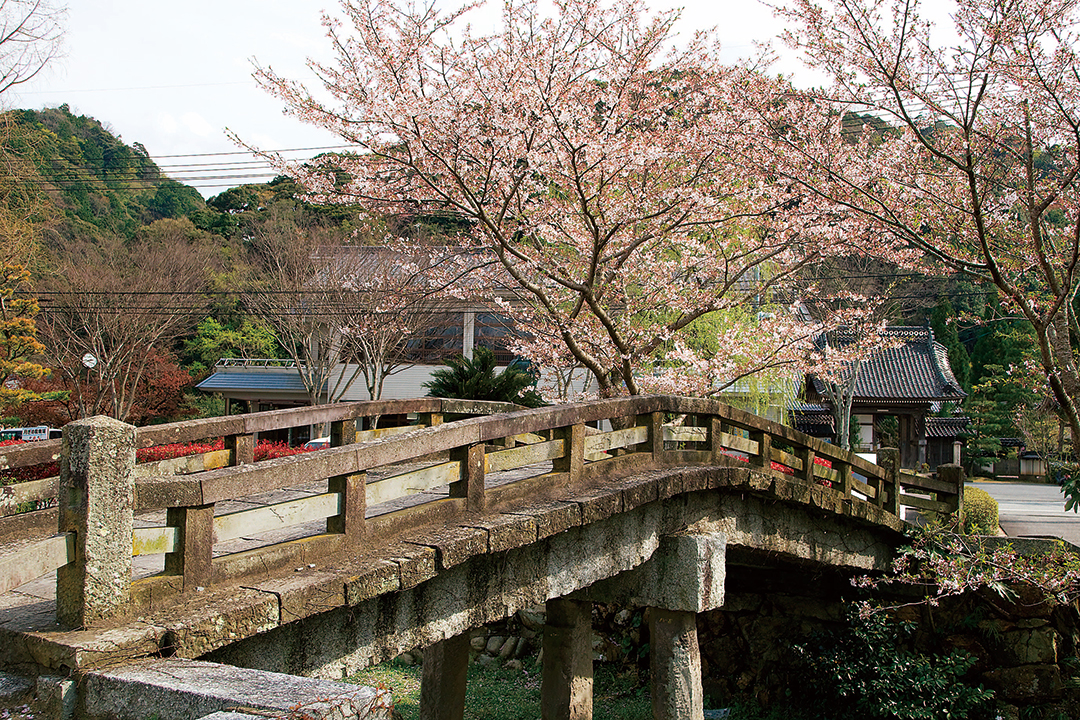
<point x="374" y="481"/>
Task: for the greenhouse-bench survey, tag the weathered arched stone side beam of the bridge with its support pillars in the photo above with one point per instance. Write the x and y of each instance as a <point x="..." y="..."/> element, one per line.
<point x="670" y="554"/>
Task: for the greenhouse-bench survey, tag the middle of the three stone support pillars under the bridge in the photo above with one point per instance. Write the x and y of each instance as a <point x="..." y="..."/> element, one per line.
<point x="566" y="688"/>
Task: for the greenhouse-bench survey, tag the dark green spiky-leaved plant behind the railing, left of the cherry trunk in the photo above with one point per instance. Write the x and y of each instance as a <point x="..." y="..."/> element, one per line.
<point x="477" y="381"/>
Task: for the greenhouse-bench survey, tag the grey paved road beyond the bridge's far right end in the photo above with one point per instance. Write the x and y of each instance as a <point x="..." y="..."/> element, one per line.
<point x="1033" y="510"/>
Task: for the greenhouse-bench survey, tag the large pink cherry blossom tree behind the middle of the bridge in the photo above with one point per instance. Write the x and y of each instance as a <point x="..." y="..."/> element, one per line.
<point x="595" y="158"/>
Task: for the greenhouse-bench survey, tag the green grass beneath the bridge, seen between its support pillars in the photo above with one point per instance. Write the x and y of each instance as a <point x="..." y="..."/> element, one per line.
<point x="496" y="694"/>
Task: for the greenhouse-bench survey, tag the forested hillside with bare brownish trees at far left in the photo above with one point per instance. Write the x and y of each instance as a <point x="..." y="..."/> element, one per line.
<point x="133" y="268"/>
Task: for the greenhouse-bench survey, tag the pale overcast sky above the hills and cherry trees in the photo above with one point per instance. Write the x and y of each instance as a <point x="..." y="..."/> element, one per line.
<point x="174" y="76"/>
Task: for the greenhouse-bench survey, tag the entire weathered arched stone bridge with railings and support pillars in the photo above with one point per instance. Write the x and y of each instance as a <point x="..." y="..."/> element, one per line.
<point x="411" y="537"/>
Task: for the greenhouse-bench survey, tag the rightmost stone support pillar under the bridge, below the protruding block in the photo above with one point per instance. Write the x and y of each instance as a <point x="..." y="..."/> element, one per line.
<point x="676" y="665"/>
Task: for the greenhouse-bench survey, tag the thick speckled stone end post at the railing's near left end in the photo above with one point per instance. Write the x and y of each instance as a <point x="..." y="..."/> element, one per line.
<point x="97" y="504"/>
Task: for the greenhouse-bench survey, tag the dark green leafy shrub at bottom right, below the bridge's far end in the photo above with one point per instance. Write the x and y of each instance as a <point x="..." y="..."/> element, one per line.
<point x="866" y="672"/>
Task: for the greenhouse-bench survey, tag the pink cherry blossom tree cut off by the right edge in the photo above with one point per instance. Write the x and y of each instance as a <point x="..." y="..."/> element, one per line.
<point x="978" y="174"/>
